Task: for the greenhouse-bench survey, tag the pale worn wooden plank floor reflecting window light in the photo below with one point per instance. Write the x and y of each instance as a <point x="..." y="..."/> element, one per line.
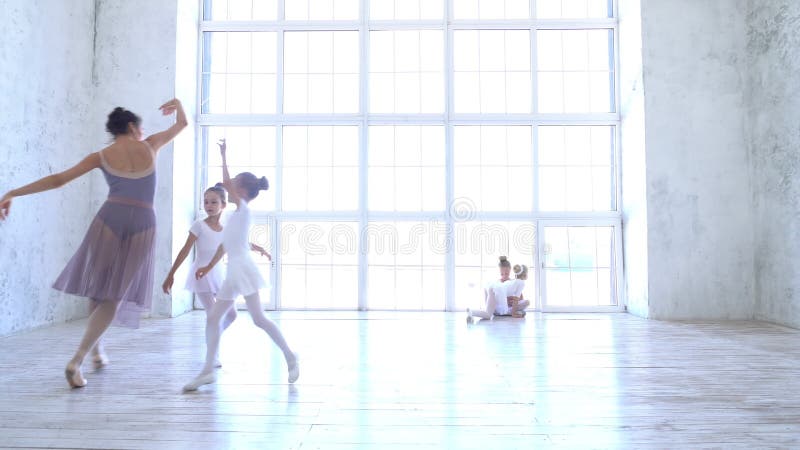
<point x="410" y="380"/>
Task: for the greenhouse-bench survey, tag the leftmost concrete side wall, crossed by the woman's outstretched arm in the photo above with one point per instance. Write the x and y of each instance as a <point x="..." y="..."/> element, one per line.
<point x="46" y="102"/>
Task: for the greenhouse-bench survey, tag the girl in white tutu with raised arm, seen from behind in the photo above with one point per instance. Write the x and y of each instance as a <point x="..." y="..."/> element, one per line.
<point x="242" y="278"/>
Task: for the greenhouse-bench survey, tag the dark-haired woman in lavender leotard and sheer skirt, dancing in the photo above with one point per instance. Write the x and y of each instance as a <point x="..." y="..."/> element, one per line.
<point x="113" y="267"/>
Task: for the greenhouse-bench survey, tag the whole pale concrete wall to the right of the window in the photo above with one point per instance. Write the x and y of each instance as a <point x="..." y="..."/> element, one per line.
<point x="721" y="138"/>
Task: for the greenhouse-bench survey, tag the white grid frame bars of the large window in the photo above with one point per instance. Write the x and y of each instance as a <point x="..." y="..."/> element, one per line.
<point x="448" y="119"/>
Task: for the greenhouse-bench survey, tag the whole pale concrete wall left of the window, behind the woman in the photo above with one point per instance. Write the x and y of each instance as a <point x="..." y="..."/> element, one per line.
<point x="63" y="73"/>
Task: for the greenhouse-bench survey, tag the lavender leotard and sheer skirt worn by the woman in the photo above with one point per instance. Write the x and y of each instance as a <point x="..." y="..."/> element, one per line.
<point x="115" y="261"/>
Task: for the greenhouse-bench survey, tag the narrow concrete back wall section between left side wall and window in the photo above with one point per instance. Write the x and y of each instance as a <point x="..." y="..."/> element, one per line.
<point x="135" y="67"/>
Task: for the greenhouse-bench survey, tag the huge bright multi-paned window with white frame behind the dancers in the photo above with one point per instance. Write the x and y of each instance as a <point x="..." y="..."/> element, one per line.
<point x="409" y="143"/>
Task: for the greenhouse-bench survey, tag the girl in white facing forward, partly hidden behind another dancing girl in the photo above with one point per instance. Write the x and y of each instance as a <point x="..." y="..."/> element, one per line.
<point x="206" y="236"/>
